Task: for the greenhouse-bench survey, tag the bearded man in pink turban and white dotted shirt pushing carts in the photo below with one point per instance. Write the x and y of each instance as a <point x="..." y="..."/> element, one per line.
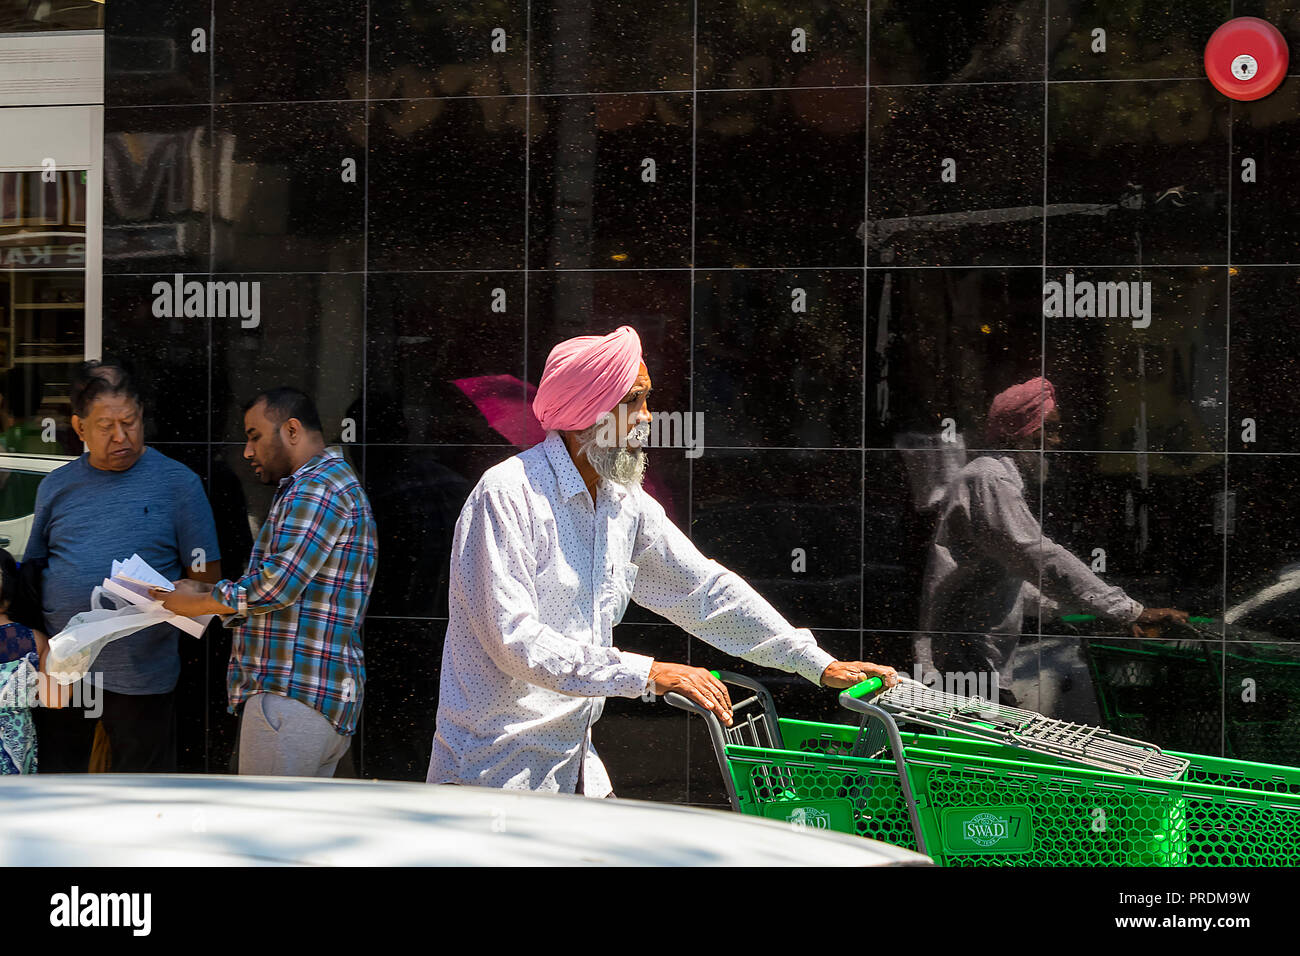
<point x="549" y="550"/>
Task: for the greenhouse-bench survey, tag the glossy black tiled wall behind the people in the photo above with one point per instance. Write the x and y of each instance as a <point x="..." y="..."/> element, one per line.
<point x="432" y="196"/>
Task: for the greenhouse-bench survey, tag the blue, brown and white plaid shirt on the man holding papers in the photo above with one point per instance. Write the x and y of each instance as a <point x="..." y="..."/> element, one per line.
<point x="297" y="631"/>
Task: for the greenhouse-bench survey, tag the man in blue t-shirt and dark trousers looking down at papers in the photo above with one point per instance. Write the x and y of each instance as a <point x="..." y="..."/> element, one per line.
<point x="119" y="499"/>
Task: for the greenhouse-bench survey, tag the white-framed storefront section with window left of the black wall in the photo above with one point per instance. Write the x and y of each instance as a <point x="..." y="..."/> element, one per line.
<point x="50" y="219"/>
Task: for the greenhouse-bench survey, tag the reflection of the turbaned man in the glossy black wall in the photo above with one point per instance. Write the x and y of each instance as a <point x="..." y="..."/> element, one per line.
<point x="990" y="559"/>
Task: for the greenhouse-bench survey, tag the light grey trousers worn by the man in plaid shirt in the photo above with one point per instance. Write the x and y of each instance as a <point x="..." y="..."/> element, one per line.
<point x="281" y="737"/>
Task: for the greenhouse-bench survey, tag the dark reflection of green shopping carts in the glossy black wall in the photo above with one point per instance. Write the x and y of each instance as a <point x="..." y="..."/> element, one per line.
<point x="1142" y="684"/>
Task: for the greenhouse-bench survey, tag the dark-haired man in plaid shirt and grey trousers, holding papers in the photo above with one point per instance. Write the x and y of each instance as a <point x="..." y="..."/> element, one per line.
<point x="297" y="671"/>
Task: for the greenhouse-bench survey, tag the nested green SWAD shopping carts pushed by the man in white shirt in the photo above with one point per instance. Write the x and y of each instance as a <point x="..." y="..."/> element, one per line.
<point x="990" y="795"/>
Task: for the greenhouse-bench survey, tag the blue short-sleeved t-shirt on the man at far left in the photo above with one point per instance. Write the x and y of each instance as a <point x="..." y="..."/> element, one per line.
<point x="88" y="518"/>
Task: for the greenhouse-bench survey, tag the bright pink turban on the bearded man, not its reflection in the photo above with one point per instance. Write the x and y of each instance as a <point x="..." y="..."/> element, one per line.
<point x="586" y="378"/>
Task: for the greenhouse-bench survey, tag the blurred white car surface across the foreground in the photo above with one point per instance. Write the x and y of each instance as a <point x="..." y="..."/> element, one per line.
<point x="137" y="820"/>
